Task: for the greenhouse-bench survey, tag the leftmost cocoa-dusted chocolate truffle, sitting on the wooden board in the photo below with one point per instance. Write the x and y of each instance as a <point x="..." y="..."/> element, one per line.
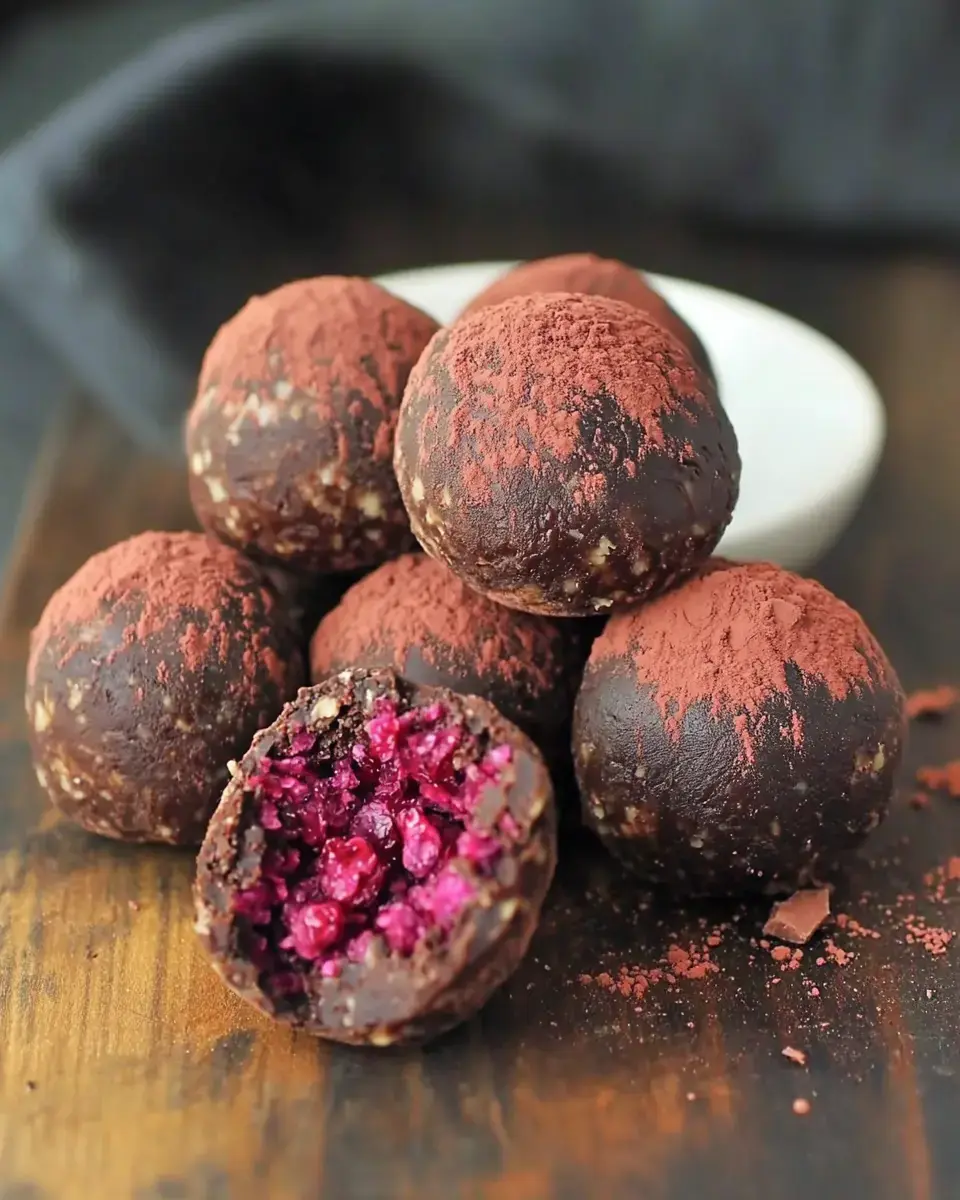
<point x="149" y="670"/>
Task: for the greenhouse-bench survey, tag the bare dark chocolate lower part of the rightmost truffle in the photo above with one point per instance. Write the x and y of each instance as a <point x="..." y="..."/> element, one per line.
<point x="691" y="814"/>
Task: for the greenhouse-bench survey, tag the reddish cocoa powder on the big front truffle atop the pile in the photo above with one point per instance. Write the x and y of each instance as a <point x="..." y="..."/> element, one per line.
<point x="535" y="362"/>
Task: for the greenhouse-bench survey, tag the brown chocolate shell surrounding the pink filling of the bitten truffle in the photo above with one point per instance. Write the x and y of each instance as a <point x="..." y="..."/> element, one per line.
<point x="387" y="999"/>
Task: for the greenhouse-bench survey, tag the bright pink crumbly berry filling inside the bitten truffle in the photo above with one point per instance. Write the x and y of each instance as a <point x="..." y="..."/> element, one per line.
<point x="380" y="844"/>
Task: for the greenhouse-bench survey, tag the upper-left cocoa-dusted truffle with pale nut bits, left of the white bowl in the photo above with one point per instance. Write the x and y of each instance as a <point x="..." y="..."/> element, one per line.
<point x="291" y="439"/>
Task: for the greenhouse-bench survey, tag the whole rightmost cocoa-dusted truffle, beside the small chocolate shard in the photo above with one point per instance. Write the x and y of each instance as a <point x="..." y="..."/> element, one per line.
<point x="741" y="734"/>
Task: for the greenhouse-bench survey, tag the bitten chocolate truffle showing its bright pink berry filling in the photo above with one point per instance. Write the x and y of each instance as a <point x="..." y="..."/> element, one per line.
<point x="379" y="862"/>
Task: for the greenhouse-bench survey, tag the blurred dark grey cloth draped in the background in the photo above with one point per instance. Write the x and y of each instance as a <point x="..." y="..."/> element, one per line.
<point x="235" y="155"/>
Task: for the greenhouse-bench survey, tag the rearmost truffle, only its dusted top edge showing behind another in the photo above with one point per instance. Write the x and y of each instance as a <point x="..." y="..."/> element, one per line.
<point x="596" y="277"/>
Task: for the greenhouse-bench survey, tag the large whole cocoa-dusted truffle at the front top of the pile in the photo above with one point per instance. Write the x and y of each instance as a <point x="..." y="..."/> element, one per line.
<point x="565" y="455"/>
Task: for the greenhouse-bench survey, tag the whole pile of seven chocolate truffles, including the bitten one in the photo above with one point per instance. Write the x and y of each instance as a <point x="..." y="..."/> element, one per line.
<point x="376" y="865"/>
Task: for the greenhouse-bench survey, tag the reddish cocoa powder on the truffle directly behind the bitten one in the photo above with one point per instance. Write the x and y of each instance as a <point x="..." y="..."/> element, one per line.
<point x="418" y="603"/>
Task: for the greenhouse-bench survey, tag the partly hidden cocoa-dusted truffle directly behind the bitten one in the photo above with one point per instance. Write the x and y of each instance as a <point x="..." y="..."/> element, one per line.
<point x="418" y="619"/>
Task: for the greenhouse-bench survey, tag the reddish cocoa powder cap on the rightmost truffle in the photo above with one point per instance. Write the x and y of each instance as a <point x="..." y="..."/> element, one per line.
<point x="725" y="640"/>
